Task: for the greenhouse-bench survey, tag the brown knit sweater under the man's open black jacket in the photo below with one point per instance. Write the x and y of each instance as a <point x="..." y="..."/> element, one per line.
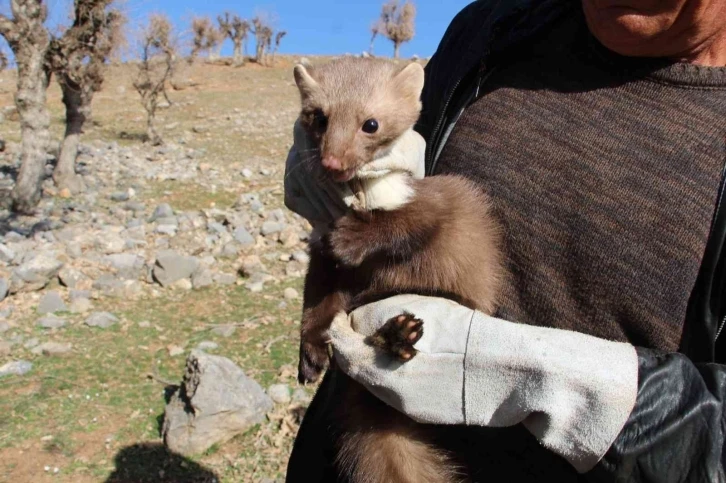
<point x="604" y="172"/>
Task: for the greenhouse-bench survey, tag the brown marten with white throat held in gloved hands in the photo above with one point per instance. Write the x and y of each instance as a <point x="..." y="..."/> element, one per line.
<point x="434" y="236"/>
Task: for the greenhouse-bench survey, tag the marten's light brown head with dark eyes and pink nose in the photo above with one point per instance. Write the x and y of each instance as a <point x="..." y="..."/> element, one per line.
<point x="354" y="109"/>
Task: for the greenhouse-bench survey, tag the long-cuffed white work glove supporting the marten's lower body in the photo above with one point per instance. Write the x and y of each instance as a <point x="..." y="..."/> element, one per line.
<point x="572" y="391"/>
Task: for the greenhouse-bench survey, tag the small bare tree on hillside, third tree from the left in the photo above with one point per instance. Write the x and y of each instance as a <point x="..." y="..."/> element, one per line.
<point x="155" y="70"/>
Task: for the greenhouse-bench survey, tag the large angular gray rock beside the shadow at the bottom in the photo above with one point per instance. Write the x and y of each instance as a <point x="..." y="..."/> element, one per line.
<point x="216" y="403"/>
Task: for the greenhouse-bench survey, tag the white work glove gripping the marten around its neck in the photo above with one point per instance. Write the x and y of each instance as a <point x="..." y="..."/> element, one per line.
<point x="312" y="195"/>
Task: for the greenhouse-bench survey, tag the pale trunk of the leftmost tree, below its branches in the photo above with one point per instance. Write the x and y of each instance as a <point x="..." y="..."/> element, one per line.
<point x="30" y="101"/>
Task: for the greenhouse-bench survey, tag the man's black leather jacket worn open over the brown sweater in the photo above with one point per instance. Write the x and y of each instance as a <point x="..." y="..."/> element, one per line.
<point x="677" y="430"/>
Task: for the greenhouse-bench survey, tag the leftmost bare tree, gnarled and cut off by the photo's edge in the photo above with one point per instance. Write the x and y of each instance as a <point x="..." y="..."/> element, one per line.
<point x="29" y="40"/>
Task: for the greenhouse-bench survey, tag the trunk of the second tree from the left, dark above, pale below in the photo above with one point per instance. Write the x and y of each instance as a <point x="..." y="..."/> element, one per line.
<point x="78" y="108"/>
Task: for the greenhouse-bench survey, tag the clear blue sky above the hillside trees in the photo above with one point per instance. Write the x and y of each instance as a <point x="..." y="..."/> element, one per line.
<point x="314" y="26"/>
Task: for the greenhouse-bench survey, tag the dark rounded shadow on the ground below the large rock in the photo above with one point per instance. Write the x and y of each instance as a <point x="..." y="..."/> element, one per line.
<point x="152" y="463"/>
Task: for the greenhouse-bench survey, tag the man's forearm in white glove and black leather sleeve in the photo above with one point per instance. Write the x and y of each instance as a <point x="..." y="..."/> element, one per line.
<point x="616" y="413"/>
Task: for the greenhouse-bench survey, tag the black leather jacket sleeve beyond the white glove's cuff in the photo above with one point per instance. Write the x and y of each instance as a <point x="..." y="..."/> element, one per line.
<point x="677" y="429"/>
